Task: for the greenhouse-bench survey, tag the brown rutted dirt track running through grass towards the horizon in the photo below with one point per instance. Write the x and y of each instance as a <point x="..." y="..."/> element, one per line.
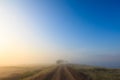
<point x="62" y="72"/>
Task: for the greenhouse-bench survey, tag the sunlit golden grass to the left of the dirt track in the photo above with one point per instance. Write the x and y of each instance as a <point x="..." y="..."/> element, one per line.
<point x="19" y="73"/>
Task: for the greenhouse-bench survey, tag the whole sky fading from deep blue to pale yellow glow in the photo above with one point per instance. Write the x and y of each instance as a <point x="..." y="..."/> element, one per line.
<point x="42" y="31"/>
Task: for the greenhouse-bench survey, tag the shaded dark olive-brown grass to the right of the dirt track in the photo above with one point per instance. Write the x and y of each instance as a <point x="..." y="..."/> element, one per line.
<point x="98" y="73"/>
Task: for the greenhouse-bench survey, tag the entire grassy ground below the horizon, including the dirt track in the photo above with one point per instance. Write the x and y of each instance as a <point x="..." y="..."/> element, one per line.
<point x="59" y="72"/>
